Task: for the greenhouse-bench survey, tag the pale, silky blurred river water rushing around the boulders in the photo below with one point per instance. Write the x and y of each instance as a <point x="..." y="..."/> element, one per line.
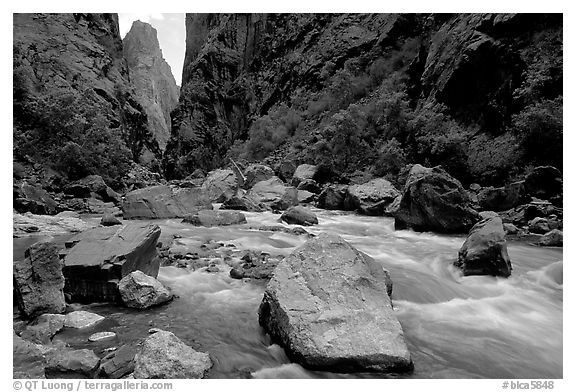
<point x="455" y="327"/>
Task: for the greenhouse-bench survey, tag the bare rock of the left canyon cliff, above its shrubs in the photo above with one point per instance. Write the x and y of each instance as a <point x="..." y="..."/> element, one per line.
<point x="75" y="61"/>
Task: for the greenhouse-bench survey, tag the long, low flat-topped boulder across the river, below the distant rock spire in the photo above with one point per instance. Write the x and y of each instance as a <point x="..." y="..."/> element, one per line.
<point x="162" y="201"/>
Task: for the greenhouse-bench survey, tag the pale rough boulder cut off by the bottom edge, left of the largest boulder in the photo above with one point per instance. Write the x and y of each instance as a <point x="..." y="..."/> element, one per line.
<point x="163" y="355"/>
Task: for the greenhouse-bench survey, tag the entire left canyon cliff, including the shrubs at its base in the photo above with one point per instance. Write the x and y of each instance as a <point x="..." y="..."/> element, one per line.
<point x="74" y="108"/>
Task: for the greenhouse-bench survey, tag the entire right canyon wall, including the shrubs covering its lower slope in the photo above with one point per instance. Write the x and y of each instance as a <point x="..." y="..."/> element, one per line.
<point x="365" y="88"/>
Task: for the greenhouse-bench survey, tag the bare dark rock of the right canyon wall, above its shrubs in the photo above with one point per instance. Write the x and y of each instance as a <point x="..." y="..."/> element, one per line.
<point x="241" y="70"/>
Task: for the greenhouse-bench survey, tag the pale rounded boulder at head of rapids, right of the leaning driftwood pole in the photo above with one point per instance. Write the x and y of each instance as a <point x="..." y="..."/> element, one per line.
<point x="274" y="194"/>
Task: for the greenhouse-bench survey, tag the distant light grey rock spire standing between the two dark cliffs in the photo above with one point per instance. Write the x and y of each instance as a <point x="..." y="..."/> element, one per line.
<point x="152" y="79"/>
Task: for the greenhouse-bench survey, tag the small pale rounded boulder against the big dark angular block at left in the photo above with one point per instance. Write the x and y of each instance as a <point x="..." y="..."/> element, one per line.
<point x="141" y="291"/>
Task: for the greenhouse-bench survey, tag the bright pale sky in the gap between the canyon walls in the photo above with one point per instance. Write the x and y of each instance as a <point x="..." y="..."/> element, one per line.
<point x="171" y="35"/>
